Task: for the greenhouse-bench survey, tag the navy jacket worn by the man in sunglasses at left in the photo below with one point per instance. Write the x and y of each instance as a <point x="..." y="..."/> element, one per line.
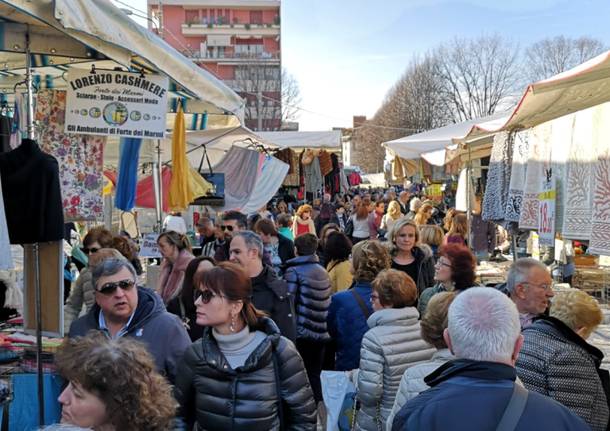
<point x="162" y="332"/>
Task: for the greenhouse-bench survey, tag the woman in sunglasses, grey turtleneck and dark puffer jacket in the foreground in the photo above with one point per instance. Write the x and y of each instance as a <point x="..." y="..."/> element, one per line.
<point x="242" y="375"/>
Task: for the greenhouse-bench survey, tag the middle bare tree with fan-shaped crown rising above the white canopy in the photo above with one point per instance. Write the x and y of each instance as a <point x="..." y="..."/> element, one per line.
<point x="478" y="75"/>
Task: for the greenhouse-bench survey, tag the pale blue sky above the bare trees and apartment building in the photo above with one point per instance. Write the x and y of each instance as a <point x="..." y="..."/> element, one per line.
<point x="346" y="54"/>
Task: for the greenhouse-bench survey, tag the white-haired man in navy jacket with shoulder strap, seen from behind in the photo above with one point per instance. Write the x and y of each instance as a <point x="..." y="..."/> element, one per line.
<point x="474" y="391"/>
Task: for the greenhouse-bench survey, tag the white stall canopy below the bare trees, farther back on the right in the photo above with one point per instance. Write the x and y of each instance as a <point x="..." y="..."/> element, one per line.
<point x="432" y="145"/>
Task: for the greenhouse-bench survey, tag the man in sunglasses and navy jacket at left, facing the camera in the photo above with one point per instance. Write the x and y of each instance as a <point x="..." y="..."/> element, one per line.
<point x="122" y="309"/>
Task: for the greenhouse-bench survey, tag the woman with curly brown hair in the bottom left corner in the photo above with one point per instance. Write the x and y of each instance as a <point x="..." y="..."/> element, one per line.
<point x="113" y="385"/>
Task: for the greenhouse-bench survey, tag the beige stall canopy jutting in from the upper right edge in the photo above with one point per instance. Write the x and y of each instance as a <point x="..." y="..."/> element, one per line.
<point x="579" y="88"/>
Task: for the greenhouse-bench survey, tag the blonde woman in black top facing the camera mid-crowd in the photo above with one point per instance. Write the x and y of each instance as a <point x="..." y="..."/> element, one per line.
<point x="409" y="256"/>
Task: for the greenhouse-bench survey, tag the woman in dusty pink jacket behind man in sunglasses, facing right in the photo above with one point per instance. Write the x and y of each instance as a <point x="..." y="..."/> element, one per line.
<point x="176" y="251"/>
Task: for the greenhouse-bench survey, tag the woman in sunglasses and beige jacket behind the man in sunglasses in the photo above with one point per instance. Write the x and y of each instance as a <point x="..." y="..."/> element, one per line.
<point x="83" y="292"/>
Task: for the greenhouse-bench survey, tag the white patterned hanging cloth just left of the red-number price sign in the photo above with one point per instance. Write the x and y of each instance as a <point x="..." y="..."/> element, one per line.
<point x="538" y="161"/>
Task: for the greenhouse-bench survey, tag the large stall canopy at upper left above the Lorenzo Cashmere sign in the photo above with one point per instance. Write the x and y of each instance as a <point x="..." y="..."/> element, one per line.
<point x="68" y="33"/>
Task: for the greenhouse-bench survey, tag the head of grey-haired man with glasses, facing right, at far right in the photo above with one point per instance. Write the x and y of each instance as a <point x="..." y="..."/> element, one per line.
<point x="530" y="286"/>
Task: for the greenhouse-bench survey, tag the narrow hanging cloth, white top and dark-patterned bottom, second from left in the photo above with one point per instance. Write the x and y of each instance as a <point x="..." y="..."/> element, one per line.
<point x="517" y="176"/>
